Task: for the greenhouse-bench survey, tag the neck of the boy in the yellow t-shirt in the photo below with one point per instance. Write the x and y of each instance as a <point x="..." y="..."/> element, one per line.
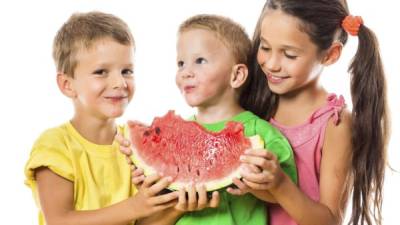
<point x="95" y="130"/>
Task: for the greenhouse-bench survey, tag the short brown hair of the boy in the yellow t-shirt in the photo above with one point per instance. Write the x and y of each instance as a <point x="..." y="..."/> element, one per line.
<point x="81" y="31"/>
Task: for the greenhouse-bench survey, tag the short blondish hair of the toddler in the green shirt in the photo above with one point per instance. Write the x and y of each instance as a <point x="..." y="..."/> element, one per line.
<point x="229" y="32"/>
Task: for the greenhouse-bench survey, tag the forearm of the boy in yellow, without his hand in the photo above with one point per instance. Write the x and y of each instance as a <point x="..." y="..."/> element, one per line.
<point x="117" y="214"/>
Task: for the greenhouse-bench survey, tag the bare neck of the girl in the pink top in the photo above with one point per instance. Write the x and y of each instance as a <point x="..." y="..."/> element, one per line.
<point x="296" y="107"/>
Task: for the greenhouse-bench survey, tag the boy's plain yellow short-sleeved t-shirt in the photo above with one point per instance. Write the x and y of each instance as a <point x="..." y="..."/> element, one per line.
<point x="100" y="173"/>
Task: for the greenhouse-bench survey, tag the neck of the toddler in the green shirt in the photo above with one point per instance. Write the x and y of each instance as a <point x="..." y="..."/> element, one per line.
<point x="217" y="113"/>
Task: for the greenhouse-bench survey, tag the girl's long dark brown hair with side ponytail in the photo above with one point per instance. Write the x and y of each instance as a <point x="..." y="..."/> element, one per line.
<point x="321" y="20"/>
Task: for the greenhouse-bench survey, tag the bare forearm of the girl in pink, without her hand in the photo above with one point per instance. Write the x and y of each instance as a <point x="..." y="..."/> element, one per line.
<point x="300" y="207"/>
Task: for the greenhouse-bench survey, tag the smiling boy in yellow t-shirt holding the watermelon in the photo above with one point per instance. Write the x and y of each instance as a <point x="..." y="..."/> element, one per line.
<point x="76" y="172"/>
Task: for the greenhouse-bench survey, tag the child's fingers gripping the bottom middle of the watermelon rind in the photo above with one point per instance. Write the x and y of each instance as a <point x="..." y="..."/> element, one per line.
<point x="196" y="199"/>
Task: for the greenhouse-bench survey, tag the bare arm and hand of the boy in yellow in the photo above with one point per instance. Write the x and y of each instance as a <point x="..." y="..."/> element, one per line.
<point x="56" y="196"/>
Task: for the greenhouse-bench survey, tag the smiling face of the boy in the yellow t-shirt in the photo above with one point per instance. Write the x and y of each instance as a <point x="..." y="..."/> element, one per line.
<point x="103" y="79"/>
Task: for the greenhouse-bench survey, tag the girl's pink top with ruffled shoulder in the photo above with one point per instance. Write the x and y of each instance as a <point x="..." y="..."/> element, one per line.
<point x="307" y="140"/>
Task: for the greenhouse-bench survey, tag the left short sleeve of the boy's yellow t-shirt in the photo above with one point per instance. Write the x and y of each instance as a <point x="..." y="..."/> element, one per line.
<point x="49" y="151"/>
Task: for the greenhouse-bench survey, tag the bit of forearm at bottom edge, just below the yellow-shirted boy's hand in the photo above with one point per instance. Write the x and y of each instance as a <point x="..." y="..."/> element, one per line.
<point x="166" y="217"/>
